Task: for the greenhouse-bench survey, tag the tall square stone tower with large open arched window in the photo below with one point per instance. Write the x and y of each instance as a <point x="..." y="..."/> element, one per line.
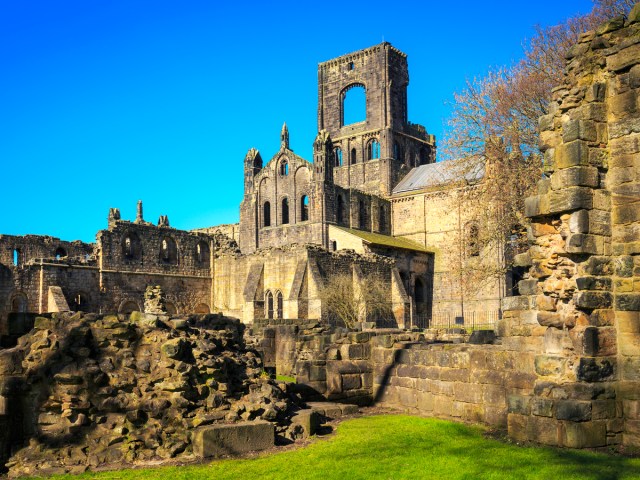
<point x="374" y="154"/>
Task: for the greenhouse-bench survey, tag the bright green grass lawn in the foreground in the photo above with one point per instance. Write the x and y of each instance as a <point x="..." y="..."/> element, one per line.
<point x="400" y="446"/>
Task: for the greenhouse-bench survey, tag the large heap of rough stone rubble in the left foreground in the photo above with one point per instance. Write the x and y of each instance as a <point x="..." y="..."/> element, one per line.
<point x="97" y="390"/>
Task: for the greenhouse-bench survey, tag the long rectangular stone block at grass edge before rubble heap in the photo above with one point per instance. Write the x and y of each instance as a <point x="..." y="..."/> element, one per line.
<point x="234" y="439"/>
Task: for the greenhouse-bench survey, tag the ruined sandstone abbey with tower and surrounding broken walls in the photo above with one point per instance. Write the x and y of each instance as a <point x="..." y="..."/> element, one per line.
<point x="563" y="367"/>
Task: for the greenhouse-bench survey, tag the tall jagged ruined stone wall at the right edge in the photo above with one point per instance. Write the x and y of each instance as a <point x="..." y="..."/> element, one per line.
<point x="579" y="312"/>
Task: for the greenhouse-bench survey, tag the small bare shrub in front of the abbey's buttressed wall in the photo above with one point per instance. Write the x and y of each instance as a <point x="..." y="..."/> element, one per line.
<point x="351" y="302"/>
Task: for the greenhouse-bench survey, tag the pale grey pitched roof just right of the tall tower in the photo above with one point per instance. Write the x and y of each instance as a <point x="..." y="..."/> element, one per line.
<point x="440" y="173"/>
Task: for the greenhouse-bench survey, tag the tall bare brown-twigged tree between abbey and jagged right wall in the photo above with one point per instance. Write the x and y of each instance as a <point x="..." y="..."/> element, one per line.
<point x="494" y="123"/>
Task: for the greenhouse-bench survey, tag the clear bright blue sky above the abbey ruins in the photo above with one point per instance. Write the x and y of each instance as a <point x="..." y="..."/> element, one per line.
<point x="103" y="103"/>
